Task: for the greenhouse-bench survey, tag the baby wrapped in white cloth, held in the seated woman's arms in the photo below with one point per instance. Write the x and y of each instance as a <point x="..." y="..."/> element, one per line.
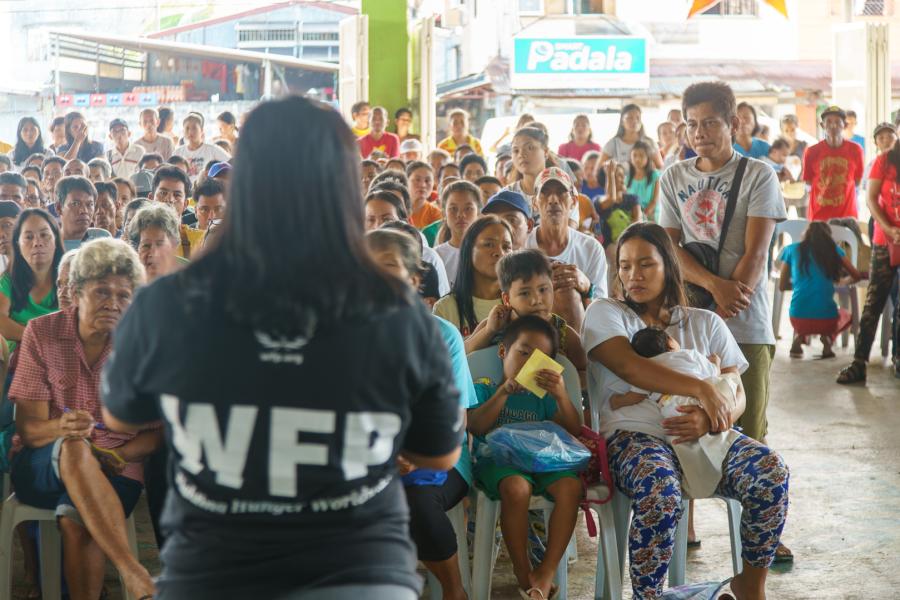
<point x="701" y="460"/>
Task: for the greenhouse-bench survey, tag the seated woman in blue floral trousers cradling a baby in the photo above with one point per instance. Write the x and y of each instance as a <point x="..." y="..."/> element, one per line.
<point x="646" y="447"/>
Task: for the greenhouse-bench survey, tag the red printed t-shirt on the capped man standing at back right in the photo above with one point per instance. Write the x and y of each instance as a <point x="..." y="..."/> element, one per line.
<point x="833" y="174"/>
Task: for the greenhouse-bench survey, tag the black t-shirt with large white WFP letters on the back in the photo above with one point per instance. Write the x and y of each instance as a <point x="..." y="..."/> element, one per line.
<point x="282" y="450"/>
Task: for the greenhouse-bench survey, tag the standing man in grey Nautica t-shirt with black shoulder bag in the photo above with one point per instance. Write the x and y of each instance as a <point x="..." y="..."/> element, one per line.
<point x="694" y="197"/>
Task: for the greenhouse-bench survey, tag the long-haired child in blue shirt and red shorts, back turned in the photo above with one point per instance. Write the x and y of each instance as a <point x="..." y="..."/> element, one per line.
<point x="811" y="268"/>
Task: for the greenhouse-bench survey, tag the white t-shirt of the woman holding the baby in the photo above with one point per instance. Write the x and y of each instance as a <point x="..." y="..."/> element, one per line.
<point x="692" y="328"/>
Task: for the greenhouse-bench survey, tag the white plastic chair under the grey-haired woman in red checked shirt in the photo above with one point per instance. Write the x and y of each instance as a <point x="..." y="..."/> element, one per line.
<point x="13" y="513"/>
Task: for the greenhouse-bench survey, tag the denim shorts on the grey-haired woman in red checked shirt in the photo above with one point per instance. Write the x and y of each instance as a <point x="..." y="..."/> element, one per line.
<point x="35" y="477"/>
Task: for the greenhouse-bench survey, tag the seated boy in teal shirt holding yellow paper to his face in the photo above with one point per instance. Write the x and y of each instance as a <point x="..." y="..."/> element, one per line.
<point x="511" y="403"/>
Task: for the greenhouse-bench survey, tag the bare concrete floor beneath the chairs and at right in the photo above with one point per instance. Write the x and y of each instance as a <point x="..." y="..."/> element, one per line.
<point x="843" y="447"/>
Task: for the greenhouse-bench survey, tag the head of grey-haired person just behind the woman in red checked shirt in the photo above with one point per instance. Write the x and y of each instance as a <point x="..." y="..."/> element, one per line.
<point x="154" y="232"/>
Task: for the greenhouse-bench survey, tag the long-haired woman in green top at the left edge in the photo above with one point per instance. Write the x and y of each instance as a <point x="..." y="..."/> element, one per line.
<point x="28" y="287"/>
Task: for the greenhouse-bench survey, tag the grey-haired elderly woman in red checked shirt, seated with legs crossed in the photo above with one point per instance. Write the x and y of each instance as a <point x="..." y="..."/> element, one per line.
<point x="64" y="457"/>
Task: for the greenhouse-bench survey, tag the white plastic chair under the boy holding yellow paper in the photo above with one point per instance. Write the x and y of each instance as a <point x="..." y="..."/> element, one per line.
<point x="486" y="364"/>
